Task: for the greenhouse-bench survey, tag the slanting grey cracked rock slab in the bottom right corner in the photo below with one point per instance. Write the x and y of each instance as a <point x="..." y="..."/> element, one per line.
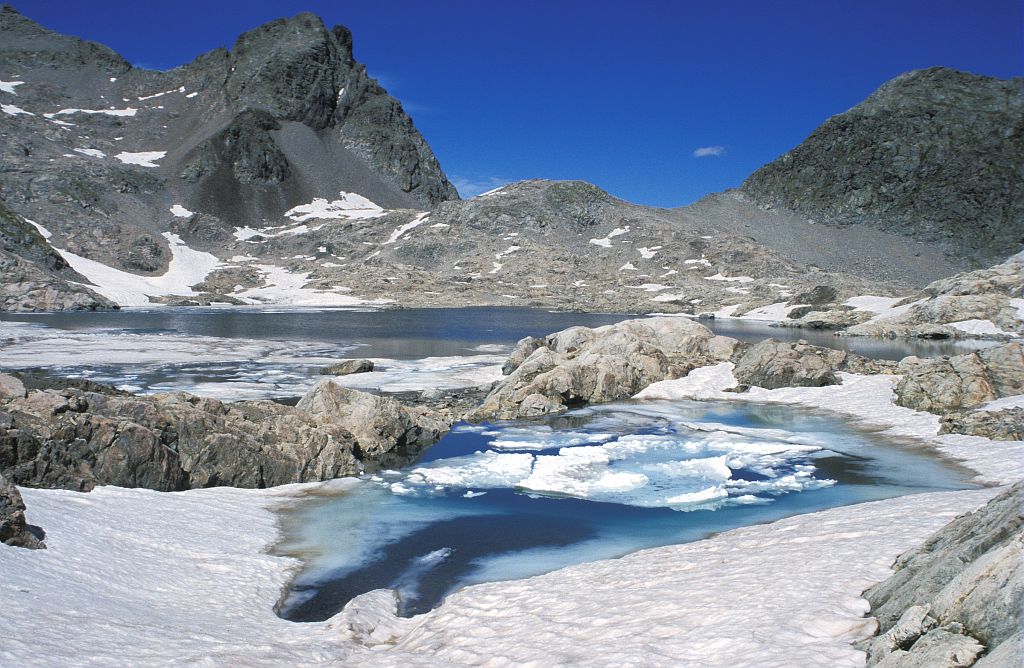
<point x="958" y="597"/>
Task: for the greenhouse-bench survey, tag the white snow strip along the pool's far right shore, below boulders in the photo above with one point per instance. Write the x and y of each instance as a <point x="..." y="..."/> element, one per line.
<point x="868" y="399"/>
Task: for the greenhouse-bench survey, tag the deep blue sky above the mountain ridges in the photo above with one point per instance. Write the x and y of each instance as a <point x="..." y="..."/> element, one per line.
<point x="618" y="94"/>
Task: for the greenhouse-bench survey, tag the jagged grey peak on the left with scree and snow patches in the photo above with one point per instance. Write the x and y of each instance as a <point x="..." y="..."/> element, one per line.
<point x="105" y="154"/>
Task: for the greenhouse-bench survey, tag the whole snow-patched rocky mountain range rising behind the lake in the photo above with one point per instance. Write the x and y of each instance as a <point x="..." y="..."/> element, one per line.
<point x="279" y="173"/>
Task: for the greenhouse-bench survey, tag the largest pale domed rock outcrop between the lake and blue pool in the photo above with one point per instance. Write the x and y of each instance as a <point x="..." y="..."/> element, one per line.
<point x="580" y="365"/>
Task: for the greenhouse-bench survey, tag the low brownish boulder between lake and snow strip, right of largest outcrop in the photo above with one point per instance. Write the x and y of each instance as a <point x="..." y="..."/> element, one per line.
<point x="773" y="364"/>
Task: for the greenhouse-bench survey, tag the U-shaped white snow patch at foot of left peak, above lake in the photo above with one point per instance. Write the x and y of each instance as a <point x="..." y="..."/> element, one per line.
<point x="188" y="267"/>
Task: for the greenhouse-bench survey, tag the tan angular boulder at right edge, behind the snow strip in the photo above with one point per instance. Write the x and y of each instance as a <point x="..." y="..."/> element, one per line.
<point x="944" y="385"/>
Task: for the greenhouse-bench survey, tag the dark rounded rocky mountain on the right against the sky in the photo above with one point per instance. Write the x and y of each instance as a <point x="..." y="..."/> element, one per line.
<point x="936" y="155"/>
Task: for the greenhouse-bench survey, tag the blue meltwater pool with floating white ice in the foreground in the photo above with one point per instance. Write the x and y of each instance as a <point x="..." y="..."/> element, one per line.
<point x="511" y="500"/>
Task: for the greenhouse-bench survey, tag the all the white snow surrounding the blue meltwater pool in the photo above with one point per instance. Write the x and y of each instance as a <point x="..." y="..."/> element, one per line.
<point x="181" y="591"/>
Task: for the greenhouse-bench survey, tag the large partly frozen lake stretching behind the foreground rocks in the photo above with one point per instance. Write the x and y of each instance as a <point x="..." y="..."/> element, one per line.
<point x="236" y="354"/>
